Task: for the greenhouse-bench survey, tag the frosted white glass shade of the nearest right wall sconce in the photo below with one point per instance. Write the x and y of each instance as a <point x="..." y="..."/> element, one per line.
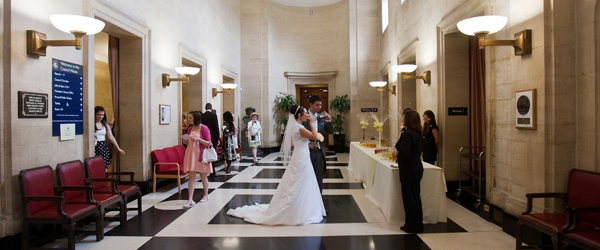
<point x="482" y="24"/>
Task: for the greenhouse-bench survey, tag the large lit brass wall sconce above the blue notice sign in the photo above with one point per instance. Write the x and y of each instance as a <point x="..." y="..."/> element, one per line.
<point x="76" y="25"/>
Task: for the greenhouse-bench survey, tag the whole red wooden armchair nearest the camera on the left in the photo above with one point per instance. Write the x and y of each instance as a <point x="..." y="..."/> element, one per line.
<point x="41" y="204"/>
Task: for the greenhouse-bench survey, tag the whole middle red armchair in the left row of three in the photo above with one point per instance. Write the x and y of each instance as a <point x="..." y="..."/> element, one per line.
<point x="71" y="174"/>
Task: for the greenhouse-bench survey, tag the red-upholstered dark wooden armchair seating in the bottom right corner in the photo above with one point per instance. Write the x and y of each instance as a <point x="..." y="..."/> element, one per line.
<point x="583" y="192"/>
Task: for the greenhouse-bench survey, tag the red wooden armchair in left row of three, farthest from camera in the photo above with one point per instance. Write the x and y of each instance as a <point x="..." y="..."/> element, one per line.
<point x="94" y="168"/>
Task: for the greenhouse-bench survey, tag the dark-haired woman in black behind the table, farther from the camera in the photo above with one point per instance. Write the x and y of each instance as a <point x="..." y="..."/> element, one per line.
<point x="431" y="137"/>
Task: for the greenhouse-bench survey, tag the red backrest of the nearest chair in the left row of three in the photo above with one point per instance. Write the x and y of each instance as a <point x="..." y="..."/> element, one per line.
<point x="38" y="182"/>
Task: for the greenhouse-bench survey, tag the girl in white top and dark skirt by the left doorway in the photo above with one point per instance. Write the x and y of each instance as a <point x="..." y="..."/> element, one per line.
<point x="102" y="131"/>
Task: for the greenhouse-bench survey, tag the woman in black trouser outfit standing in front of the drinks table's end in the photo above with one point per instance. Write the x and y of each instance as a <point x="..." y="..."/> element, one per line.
<point x="408" y="150"/>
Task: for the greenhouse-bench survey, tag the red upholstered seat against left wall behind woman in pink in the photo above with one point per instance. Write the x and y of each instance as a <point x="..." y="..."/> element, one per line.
<point x="168" y="163"/>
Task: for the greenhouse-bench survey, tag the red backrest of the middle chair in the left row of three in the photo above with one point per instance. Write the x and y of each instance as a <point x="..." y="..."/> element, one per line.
<point x="71" y="174"/>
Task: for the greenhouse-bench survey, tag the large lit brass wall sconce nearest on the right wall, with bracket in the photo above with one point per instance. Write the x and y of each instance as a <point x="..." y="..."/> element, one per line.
<point x="483" y="25"/>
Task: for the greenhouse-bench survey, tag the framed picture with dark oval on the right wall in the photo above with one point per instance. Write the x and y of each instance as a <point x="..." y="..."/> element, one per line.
<point x="525" y="104"/>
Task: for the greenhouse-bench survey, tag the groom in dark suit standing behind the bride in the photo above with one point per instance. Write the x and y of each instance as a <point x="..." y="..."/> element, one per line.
<point x="317" y="149"/>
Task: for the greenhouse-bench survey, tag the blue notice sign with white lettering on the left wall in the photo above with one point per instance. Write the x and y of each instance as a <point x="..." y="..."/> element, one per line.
<point x="67" y="95"/>
